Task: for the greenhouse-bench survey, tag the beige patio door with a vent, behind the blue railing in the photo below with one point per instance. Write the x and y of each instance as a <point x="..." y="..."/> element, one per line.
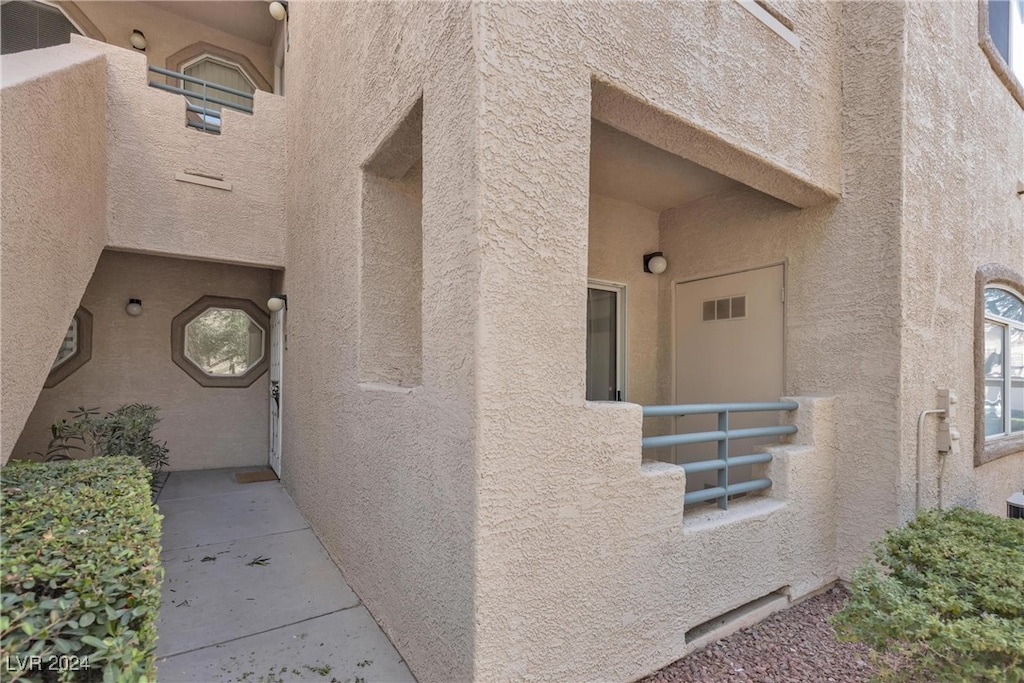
<point x="729" y="333"/>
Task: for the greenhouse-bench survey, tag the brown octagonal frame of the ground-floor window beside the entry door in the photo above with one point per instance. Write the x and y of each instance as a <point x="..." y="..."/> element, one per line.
<point x="200" y="307"/>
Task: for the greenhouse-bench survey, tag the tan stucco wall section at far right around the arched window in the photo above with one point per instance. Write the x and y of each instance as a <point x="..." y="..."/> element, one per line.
<point x="964" y="162"/>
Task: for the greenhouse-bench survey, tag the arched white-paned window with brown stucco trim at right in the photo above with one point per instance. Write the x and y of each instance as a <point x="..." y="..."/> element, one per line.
<point x="1000" y="396"/>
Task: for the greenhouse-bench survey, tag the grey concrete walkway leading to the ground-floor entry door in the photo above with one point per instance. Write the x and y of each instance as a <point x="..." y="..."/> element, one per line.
<point x="250" y="595"/>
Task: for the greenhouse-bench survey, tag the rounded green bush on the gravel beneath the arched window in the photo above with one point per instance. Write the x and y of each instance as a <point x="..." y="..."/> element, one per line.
<point x="950" y="594"/>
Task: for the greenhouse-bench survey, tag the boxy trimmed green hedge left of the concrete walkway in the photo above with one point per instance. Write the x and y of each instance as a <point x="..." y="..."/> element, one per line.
<point x="80" y="571"/>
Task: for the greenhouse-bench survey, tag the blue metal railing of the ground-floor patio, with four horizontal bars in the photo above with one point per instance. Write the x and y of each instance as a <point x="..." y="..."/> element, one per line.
<point x="722" y="437"/>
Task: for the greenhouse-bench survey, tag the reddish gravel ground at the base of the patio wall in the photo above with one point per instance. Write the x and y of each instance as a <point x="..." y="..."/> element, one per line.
<point x="796" y="645"/>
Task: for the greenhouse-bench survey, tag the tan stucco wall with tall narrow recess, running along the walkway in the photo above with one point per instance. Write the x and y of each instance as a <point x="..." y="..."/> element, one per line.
<point x="386" y="475"/>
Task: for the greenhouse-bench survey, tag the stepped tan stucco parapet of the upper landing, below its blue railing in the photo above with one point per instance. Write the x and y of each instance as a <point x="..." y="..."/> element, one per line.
<point x="149" y="145"/>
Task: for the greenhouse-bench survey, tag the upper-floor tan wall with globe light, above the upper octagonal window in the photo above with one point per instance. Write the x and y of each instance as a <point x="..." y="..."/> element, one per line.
<point x="167" y="33"/>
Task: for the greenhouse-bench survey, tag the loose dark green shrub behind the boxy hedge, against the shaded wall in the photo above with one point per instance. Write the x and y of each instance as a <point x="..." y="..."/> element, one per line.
<point x="126" y="432"/>
